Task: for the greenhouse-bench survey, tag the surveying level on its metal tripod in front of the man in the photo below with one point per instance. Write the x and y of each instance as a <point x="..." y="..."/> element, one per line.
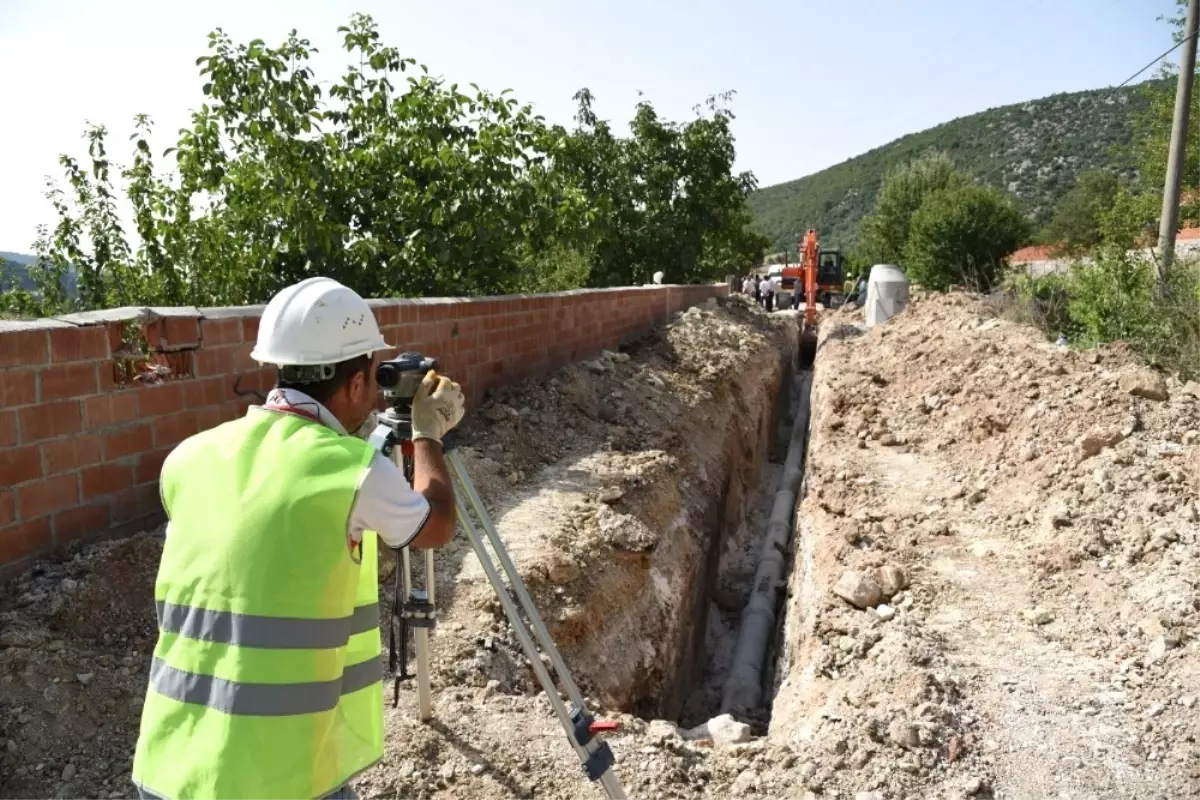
<point x="416" y="607"/>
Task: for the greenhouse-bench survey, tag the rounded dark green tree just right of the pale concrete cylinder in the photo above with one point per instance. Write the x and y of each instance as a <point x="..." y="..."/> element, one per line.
<point x="962" y="236"/>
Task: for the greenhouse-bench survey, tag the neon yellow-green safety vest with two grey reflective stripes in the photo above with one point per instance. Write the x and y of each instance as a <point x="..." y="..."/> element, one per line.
<point x="267" y="677"/>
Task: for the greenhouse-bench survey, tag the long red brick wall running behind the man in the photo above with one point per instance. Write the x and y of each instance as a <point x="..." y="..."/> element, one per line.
<point x="92" y="404"/>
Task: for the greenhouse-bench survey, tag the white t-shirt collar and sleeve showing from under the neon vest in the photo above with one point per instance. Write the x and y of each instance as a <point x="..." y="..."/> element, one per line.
<point x="385" y="503"/>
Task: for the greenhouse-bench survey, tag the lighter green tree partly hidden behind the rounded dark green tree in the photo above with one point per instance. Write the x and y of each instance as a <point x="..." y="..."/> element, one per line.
<point x="904" y="191"/>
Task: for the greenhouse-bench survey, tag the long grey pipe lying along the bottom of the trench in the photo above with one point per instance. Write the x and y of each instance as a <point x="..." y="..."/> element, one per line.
<point x="743" y="687"/>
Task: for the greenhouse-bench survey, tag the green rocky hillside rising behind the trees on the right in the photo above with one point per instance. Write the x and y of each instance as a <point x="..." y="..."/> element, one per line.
<point x="1034" y="149"/>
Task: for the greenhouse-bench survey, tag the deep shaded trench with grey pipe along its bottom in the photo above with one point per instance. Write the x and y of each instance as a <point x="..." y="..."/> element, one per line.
<point x="710" y="578"/>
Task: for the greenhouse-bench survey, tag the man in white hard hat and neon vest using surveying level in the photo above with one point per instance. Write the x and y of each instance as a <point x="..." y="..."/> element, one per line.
<point x="267" y="678"/>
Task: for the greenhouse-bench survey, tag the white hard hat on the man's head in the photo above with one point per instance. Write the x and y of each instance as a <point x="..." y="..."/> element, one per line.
<point x="316" y="322"/>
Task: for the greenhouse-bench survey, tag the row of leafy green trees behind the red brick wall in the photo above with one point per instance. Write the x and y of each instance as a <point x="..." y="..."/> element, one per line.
<point x="394" y="183"/>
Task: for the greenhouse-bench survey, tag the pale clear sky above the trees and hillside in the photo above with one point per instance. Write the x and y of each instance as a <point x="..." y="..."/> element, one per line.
<point x="818" y="81"/>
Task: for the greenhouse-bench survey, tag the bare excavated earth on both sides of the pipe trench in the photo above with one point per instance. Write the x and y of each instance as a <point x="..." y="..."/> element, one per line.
<point x="994" y="585"/>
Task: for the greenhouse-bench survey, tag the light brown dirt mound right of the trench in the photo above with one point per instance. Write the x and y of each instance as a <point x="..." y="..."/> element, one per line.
<point x="997" y="591"/>
